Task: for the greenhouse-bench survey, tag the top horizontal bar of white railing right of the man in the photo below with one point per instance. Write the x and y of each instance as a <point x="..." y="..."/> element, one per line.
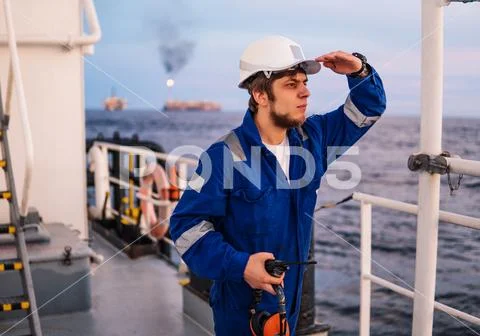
<point x="445" y="216"/>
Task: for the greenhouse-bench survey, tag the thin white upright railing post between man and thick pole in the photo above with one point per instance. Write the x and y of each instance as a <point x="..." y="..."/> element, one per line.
<point x="365" y="266"/>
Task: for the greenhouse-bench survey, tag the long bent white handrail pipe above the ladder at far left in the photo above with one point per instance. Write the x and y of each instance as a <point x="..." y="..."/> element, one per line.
<point x="16" y="77"/>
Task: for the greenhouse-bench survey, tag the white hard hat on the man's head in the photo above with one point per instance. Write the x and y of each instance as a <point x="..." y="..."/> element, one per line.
<point x="273" y="53"/>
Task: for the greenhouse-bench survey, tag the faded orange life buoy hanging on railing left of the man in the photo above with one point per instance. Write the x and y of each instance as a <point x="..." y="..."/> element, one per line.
<point x="157" y="225"/>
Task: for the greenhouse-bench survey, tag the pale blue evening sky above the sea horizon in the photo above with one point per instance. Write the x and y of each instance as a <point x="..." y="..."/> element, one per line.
<point x="386" y="31"/>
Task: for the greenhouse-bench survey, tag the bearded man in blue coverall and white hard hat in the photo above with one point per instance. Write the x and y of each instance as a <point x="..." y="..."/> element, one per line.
<point x="253" y="195"/>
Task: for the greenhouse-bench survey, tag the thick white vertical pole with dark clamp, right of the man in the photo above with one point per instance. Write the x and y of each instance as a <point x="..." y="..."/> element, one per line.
<point x="429" y="184"/>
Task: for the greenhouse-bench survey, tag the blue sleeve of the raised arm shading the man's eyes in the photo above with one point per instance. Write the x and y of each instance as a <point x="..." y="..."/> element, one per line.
<point x="344" y="126"/>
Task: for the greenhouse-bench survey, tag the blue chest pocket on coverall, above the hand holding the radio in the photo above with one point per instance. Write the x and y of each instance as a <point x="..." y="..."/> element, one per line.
<point x="250" y="208"/>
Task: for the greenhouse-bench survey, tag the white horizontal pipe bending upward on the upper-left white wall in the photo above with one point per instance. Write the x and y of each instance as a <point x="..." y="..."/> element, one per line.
<point x="69" y="41"/>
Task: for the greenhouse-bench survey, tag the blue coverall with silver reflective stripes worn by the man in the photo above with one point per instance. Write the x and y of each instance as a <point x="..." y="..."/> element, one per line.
<point x="235" y="212"/>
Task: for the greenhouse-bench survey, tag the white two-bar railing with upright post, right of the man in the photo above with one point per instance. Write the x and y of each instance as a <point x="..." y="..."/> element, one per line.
<point x="366" y="277"/>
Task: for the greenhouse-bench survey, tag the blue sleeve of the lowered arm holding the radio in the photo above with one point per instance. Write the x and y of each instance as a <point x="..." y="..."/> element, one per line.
<point x="195" y="220"/>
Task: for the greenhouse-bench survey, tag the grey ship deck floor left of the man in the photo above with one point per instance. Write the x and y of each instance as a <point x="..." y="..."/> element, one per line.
<point x="129" y="297"/>
